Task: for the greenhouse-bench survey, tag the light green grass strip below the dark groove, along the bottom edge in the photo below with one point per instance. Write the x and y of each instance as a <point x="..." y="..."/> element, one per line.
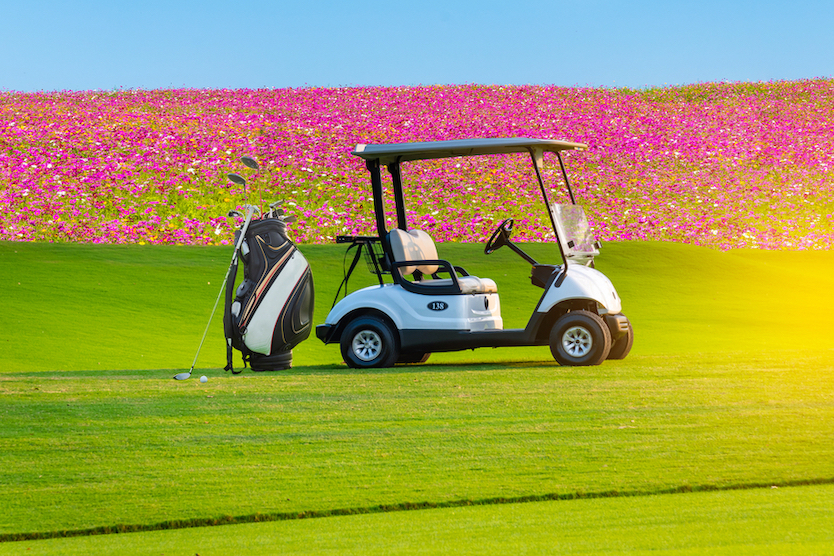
<point x="766" y="521"/>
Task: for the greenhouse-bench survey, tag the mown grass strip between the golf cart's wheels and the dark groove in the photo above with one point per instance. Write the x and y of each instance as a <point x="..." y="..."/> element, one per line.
<point x="86" y="451"/>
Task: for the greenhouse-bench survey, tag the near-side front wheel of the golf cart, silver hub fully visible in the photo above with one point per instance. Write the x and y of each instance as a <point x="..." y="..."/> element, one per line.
<point x="580" y="338"/>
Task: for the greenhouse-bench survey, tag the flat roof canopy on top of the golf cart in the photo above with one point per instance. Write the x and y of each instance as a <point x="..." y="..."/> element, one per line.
<point x="399" y="152"/>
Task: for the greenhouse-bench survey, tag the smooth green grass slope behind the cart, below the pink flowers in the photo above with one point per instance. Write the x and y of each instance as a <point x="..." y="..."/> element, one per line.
<point x="85" y="307"/>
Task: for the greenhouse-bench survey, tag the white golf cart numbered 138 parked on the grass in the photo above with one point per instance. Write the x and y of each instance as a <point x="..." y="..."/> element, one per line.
<point x="433" y="306"/>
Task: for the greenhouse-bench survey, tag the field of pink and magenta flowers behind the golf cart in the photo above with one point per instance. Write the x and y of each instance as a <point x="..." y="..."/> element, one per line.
<point x="724" y="165"/>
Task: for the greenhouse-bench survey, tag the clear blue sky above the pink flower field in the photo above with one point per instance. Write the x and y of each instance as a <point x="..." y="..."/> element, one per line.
<point x="107" y="45"/>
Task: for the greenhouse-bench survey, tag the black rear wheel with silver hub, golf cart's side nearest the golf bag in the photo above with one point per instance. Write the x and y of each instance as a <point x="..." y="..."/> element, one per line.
<point x="368" y="342"/>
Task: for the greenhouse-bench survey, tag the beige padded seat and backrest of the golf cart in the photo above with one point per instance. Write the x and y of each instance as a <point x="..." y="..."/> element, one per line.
<point x="417" y="246"/>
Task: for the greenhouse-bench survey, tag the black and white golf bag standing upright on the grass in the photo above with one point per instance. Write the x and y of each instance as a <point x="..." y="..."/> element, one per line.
<point x="272" y="309"/>
